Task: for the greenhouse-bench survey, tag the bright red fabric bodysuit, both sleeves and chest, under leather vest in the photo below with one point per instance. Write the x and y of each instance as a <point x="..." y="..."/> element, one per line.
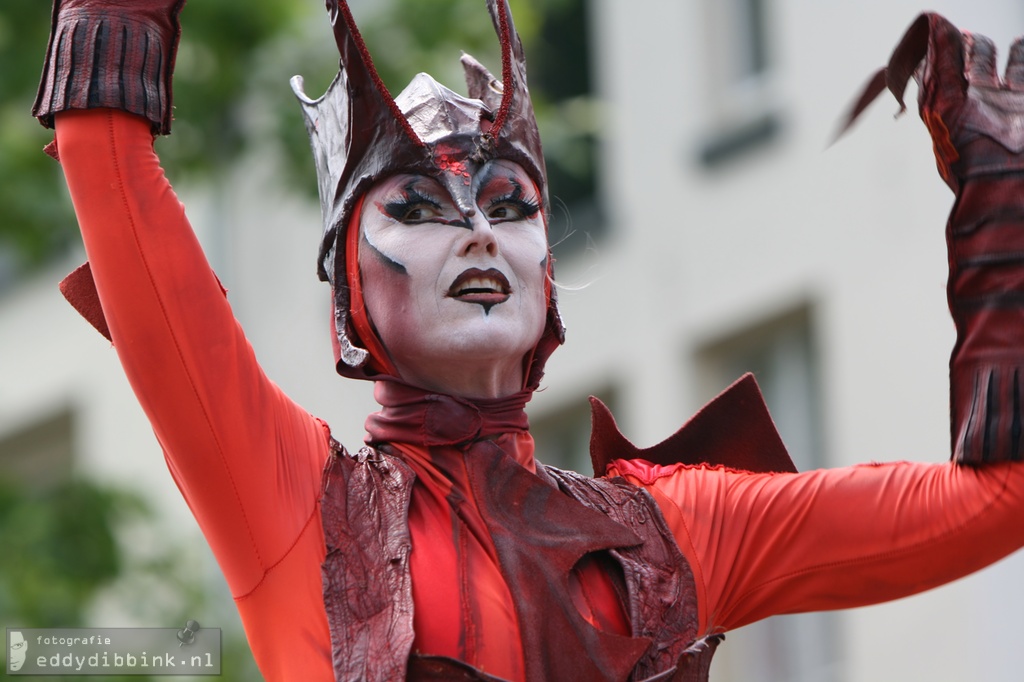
<point x="249" y="462"/>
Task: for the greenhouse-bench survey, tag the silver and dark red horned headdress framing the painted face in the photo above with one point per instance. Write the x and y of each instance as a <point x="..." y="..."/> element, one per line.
<point x="360" y="136"/>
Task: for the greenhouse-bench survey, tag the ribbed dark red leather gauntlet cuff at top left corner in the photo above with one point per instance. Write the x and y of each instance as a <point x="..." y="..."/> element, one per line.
<point x="111" y="54"/>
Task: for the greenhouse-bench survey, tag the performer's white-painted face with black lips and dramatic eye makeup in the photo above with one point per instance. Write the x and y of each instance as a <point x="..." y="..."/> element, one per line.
<point x="458" y="300"/>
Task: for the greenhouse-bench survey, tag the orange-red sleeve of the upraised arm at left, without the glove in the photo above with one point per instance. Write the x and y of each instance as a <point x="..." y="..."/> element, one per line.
<point x="246" y="458"/>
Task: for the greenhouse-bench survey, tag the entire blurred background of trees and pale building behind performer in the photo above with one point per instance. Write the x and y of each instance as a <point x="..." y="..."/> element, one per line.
<point x="703" y="228"/>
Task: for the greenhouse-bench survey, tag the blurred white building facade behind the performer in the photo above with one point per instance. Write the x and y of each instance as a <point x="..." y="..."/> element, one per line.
<point x="736" y="240"/>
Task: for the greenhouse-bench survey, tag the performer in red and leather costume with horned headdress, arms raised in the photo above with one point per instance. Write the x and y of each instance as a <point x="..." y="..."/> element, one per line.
<point x="443" y="549"/>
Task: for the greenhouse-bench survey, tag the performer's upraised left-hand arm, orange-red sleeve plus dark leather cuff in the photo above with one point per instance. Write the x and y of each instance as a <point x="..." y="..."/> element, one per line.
<point x="246" y="458"/>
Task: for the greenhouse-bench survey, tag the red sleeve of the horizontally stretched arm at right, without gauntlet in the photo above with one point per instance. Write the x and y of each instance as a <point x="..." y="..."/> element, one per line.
<point x="767" y="544"/>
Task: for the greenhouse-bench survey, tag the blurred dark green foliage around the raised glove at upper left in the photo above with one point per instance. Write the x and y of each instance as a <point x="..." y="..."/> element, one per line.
<point x="221" y="44"/>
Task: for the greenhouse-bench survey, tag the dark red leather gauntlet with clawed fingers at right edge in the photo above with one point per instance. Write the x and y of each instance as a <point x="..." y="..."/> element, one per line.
<point x="977" y="124"/>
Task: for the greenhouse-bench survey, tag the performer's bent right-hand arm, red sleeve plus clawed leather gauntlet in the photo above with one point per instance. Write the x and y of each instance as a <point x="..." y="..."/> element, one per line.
<point x="777" y="544"/>
